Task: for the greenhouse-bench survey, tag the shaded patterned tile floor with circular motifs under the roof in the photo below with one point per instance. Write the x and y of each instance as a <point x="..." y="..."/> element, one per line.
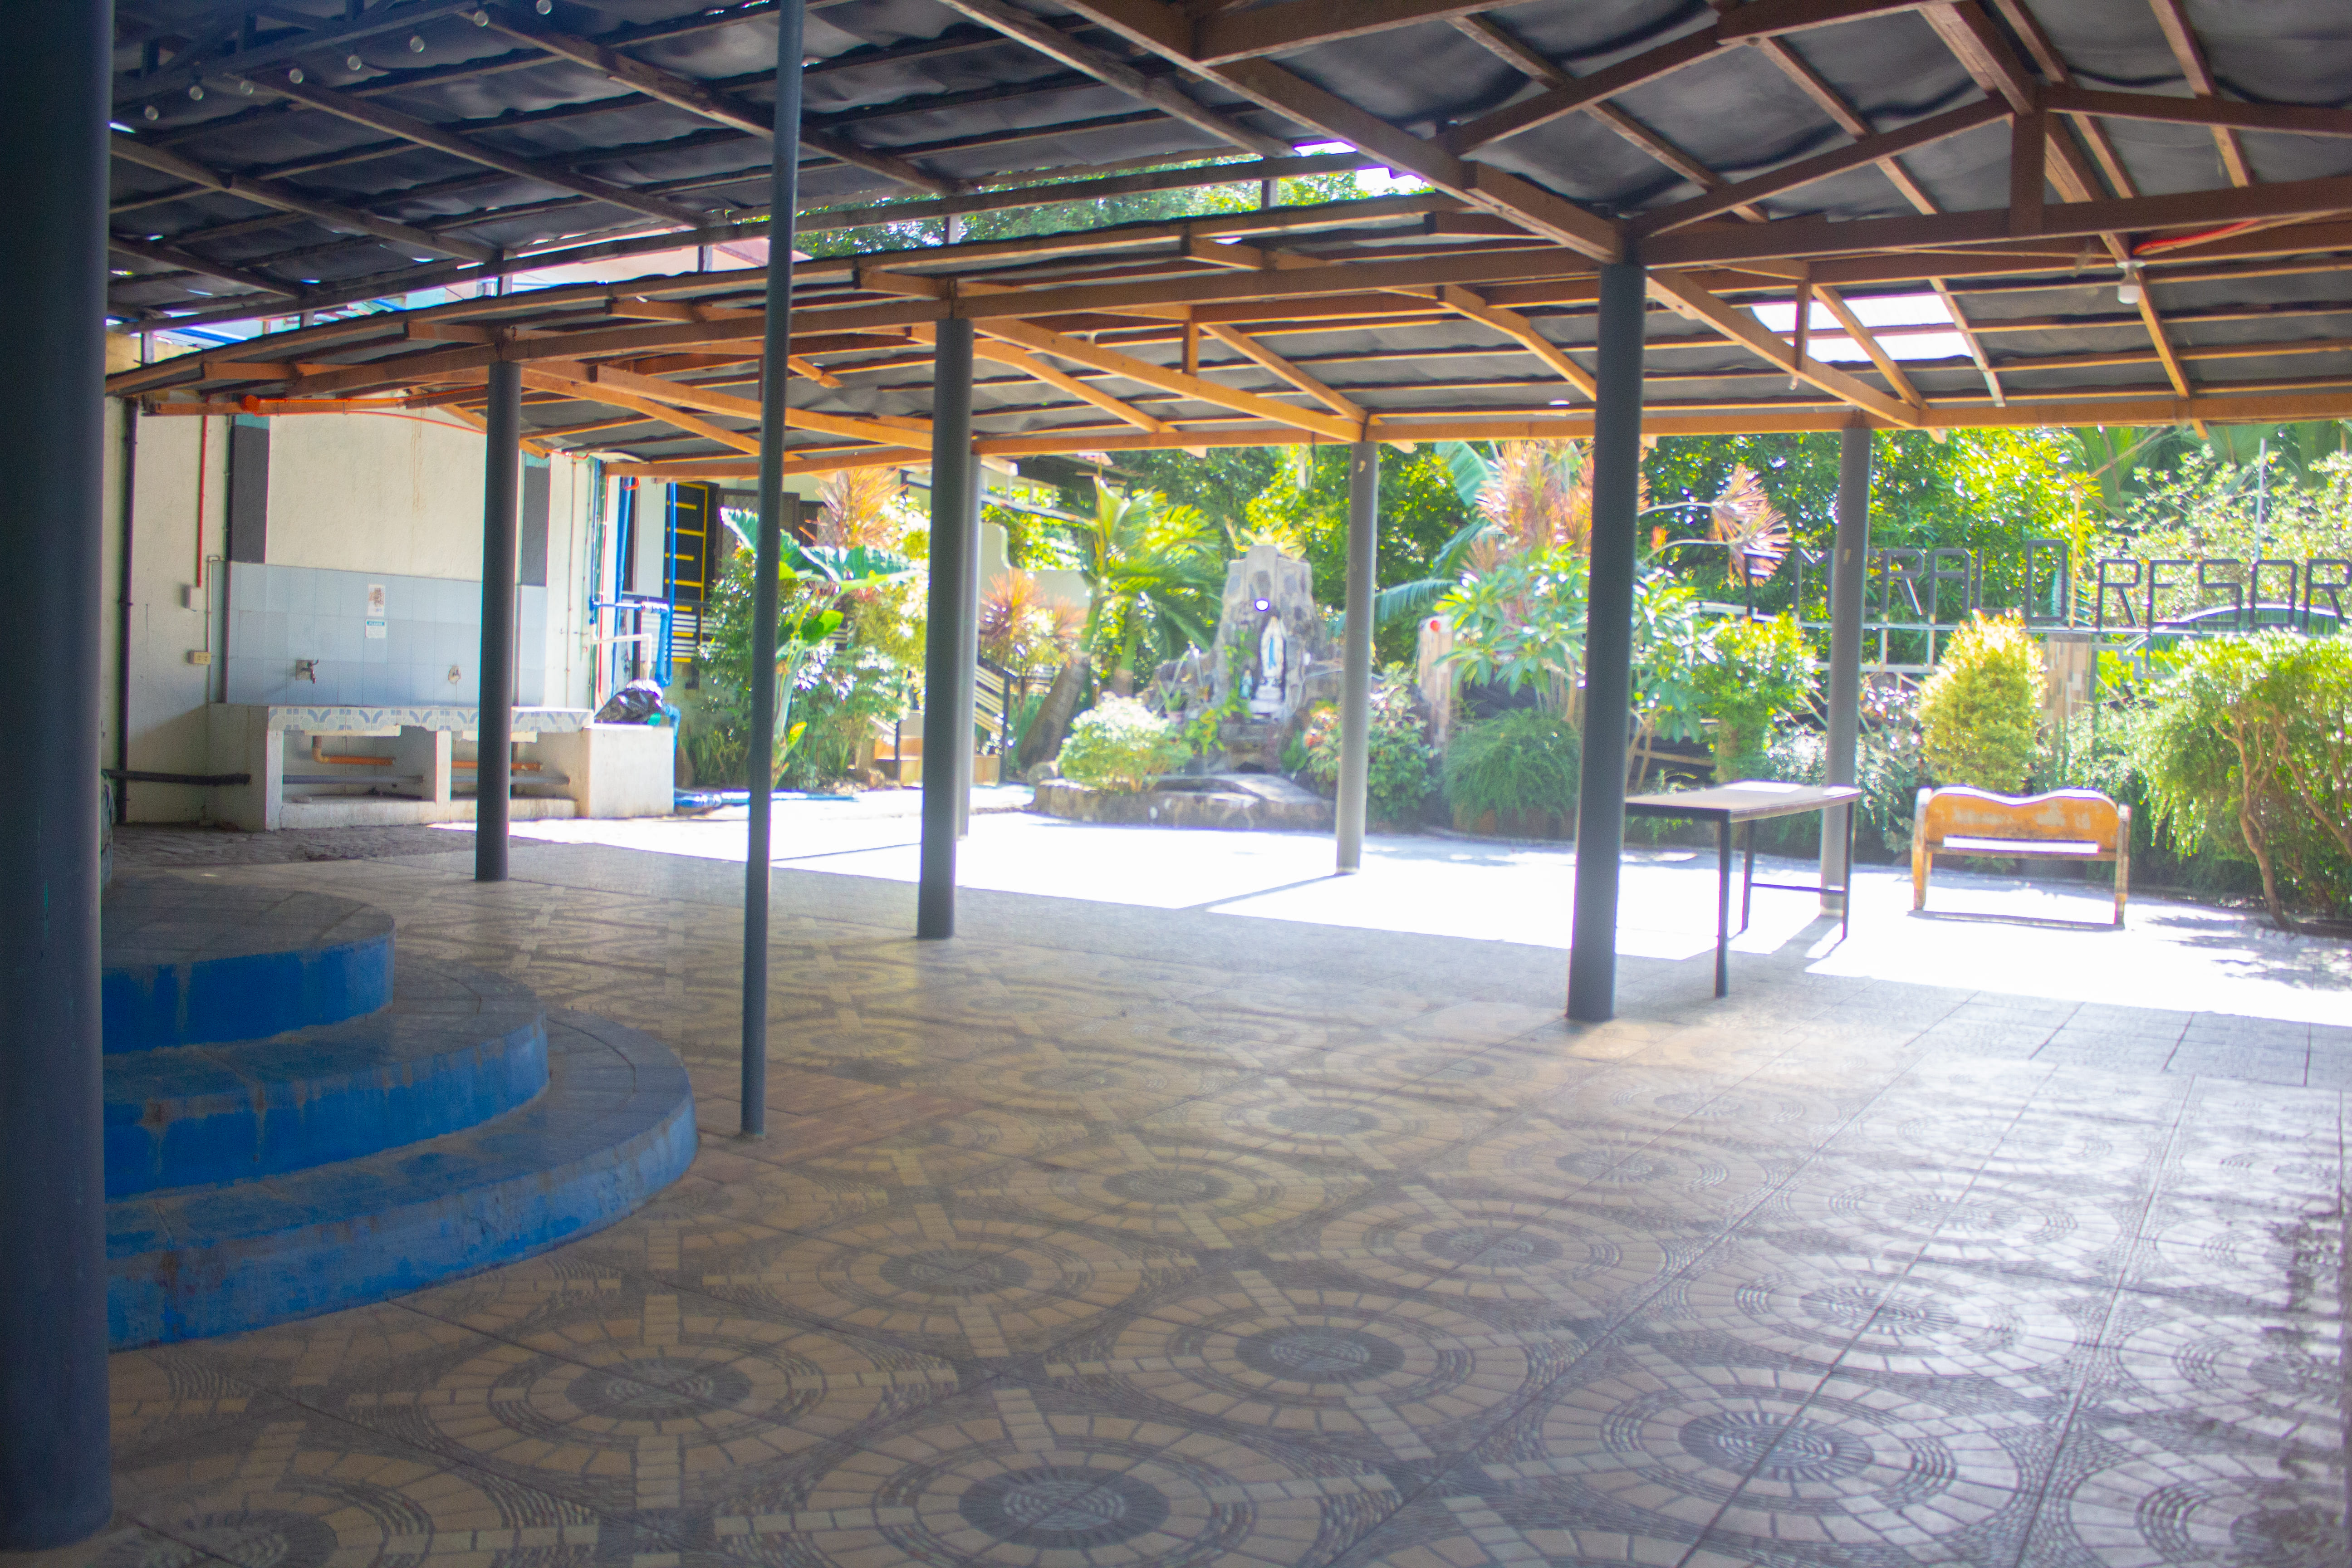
<point x="1114" y="1235"/>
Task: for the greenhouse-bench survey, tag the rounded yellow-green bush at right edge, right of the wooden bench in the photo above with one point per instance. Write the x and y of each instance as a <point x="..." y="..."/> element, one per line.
<point x="2250" y="744"/>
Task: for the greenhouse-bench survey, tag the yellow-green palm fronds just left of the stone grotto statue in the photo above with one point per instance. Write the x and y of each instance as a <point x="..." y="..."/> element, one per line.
<point x="1156" y="575"/>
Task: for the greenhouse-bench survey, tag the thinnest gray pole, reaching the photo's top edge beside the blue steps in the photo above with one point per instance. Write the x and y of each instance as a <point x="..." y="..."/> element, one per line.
<point x="768" y="558"/>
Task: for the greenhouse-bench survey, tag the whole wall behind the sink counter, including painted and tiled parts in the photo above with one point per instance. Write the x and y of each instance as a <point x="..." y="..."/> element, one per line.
<point x="354" y="500"/>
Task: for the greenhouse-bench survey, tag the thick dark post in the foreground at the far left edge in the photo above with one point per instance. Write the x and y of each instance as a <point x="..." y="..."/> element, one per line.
<point x="55" y="1473"/>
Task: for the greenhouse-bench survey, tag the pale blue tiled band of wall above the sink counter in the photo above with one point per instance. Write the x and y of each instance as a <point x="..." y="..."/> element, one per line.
<point x="281" y="615"/>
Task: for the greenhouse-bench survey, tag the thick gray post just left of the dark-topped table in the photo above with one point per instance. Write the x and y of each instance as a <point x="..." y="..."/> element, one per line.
<point x="1617" y="500"/>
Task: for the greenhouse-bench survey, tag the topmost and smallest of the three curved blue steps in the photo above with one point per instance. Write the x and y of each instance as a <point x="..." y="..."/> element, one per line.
<point x="194" y="963"/>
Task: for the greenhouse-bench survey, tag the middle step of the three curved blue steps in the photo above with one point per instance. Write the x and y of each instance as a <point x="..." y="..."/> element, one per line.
<point x="455" y="1050"/>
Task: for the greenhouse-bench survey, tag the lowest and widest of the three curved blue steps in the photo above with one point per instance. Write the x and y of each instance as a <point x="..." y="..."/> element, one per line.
<point x="613" y="1127"/>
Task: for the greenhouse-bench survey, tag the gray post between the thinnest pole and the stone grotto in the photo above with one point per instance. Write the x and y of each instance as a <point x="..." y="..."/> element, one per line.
<point x="944" y="638"/>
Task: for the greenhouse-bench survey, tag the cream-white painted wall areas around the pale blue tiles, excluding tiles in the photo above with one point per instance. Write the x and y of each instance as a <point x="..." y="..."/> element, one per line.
<point x="349" y="495"/>
